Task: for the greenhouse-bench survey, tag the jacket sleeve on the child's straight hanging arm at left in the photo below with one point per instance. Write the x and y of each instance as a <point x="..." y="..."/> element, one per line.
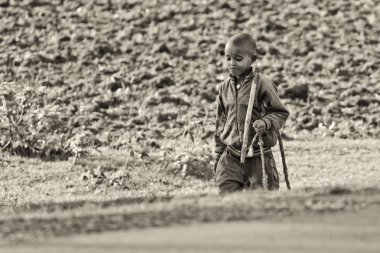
<point x="219" y="126"/>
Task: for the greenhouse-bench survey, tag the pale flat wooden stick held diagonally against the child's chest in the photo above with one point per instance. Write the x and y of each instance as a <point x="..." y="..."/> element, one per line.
<point x="247" y="123"/>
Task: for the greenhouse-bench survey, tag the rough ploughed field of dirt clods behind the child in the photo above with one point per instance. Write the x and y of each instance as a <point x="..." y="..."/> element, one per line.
<point x="125" y="73"/>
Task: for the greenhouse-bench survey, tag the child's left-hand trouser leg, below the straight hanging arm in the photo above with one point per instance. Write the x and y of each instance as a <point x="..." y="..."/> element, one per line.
<point x="229" y="173"/>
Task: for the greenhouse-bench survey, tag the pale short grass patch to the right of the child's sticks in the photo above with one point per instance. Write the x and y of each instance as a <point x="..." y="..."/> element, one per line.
<point x="333" y="162"/>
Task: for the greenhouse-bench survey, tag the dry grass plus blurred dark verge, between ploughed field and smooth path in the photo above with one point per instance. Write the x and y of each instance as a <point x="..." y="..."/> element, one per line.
<point x="326" y="175"/>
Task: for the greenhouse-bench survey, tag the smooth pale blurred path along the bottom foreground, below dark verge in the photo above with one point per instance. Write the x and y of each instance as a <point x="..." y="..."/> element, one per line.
<point x="356" y="231"/>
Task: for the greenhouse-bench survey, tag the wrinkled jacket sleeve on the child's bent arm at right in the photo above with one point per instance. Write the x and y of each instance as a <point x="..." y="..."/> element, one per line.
<point x="275" y="112"/>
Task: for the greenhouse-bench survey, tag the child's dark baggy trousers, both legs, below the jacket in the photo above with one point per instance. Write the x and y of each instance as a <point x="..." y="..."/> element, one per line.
<point x="231" y="175"/>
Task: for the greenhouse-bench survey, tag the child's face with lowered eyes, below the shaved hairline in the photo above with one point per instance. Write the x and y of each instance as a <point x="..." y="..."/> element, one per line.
<point x="238" y="61"/>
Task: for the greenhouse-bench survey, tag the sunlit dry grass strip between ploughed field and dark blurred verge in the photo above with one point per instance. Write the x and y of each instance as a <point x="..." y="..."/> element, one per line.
<point x="312" y="163"/>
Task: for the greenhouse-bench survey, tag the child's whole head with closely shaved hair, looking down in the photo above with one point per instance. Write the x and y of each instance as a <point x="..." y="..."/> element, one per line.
<point x="240" y="53"/>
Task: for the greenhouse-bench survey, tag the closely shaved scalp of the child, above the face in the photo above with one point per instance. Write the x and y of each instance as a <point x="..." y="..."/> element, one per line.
<point x="244" y="43"/>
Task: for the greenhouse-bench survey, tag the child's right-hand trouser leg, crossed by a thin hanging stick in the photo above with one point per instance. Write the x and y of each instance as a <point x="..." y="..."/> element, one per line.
<point x="254" y="170"/>
